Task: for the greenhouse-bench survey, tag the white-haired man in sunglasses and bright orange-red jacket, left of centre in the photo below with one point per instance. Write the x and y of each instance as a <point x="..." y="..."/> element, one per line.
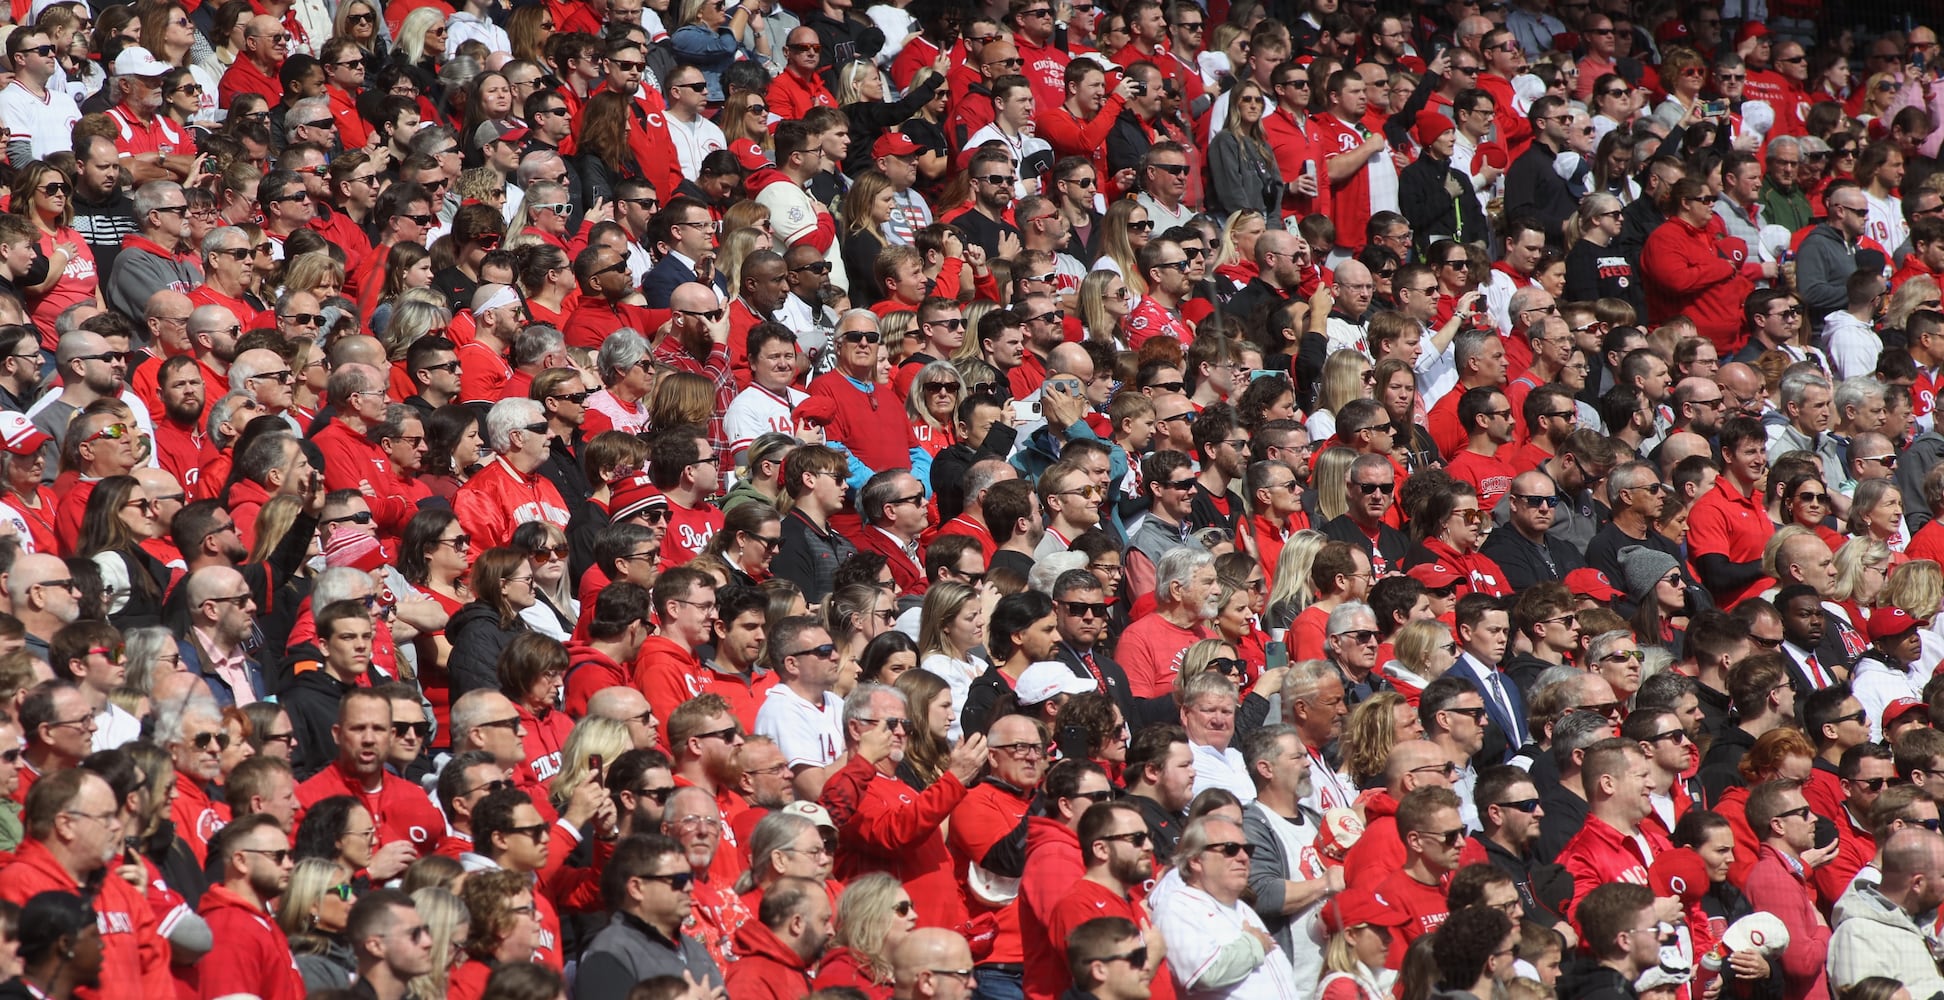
<point x="508" y="493"/>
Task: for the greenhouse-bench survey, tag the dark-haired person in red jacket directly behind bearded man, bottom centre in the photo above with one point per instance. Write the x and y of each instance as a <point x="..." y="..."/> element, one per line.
<point x="1053" y="867"/>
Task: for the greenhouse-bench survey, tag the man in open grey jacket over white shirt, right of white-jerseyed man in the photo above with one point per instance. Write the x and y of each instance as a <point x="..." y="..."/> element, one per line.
<point x="1288" y="873"/>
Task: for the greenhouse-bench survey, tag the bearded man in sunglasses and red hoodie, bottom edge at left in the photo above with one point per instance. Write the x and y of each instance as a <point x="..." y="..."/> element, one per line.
<point x="256" y="861"/>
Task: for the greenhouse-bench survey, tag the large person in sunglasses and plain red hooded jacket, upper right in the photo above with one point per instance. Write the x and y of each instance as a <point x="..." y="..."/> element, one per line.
<point x="1686" y="271"/>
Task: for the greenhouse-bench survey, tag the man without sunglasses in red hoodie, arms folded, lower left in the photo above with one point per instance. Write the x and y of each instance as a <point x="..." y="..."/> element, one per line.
<point x="407" y="824"/>
